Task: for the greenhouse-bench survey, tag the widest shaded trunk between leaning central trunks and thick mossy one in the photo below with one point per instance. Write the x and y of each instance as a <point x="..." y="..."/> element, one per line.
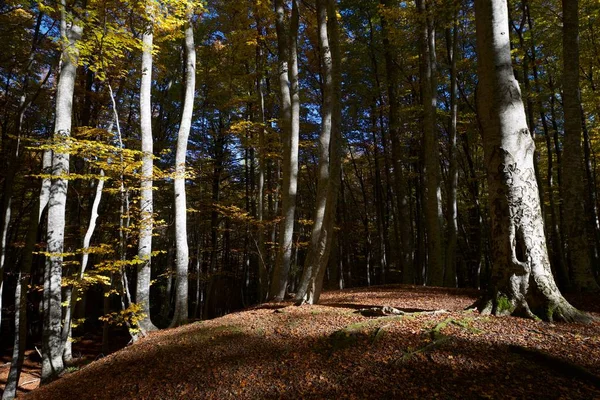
<point x="431" y="161"/>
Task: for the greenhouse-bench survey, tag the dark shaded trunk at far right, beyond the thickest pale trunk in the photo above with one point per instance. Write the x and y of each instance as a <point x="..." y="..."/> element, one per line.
<point x="573" y="174"/>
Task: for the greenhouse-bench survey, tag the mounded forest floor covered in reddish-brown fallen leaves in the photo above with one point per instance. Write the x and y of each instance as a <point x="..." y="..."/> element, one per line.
<point x="332" y="351"/>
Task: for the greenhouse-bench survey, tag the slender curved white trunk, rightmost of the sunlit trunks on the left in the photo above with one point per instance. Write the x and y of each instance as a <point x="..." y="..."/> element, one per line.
<point x="181" y="243"/>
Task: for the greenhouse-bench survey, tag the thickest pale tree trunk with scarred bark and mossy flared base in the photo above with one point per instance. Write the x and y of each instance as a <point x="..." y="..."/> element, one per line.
<point x="522" y="282"/>
